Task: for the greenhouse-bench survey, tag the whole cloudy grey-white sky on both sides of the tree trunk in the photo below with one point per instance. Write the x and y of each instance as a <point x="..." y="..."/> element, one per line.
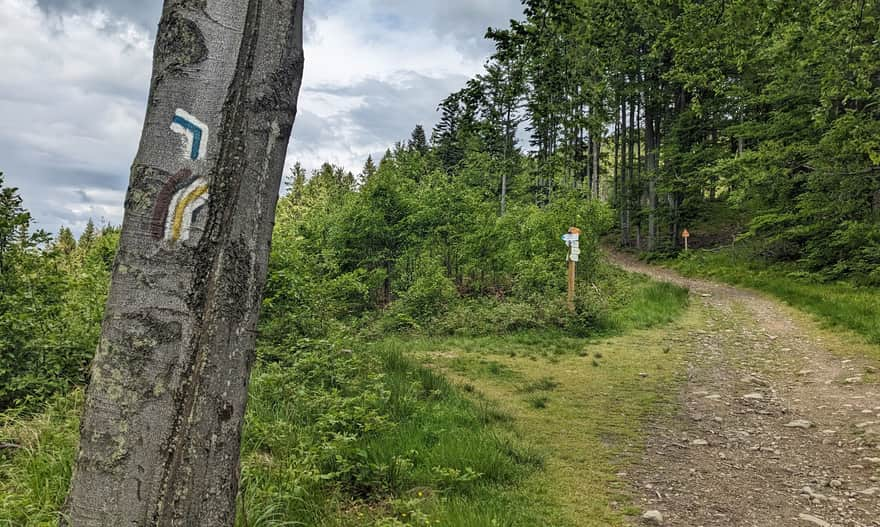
<point x="75" y="75"/>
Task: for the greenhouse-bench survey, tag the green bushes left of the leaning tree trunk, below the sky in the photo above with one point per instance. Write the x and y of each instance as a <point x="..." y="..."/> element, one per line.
<point x="52" y="297"/>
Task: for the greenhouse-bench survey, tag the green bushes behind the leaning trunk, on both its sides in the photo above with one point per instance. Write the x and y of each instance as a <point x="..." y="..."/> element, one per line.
<point x="407" y="245"/>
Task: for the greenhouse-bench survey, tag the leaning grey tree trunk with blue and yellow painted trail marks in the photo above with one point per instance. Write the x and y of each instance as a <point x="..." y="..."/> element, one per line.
<point x="160" y="434"/>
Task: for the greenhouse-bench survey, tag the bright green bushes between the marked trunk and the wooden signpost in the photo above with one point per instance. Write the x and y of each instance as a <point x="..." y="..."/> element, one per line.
<point x="408" y="242"/>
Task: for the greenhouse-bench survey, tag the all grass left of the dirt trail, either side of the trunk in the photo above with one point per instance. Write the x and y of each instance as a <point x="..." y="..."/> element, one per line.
<point x="521" y="429"/>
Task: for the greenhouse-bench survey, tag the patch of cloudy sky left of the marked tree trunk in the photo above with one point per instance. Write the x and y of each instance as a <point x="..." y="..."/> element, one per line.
<point x="71" y="101"/>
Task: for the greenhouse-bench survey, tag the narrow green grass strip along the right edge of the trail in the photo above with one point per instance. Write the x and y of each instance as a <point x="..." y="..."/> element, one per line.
<point x="837" y="304"/>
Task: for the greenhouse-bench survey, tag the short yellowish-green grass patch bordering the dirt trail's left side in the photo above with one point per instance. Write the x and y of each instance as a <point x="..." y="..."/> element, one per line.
<point x="582" y="403"/>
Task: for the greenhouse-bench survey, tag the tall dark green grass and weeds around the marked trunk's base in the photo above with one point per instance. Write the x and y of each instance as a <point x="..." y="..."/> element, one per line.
<point x="331" y="438"/>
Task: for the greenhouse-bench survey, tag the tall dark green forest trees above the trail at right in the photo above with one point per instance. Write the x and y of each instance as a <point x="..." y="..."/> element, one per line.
<point x="664" y="106"/>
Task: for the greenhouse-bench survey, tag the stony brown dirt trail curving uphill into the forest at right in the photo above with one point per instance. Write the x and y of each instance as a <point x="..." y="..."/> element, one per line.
<point x="779" y="422"/>
